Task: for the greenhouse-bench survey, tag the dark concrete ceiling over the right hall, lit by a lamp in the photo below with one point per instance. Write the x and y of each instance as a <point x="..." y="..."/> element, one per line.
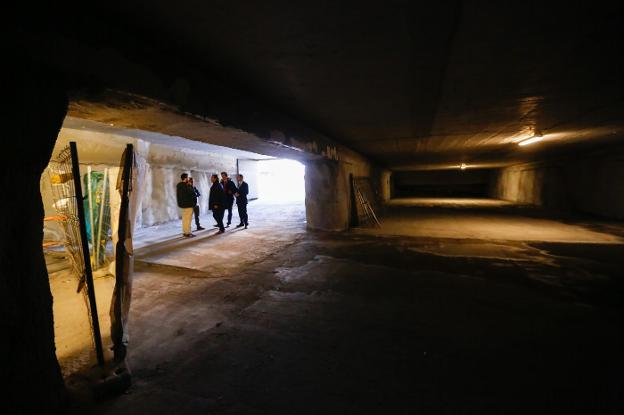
<point x="414" y="84"/>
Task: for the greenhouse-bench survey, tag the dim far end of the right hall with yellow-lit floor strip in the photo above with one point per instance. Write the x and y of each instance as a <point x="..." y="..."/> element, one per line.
<point x="491" y="204"/>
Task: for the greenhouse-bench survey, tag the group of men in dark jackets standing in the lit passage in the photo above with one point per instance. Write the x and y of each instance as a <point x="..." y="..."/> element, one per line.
<point x="222" y="196"/>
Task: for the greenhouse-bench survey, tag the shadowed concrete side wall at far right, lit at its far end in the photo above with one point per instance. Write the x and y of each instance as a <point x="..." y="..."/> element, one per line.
<point x="592" y="183"/>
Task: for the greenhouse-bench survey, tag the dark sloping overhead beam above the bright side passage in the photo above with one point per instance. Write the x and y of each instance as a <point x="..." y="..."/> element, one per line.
<point x="108" y="86"/>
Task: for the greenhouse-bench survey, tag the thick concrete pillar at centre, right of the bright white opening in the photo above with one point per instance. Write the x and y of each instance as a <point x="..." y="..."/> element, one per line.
<point x="327" y="195"/>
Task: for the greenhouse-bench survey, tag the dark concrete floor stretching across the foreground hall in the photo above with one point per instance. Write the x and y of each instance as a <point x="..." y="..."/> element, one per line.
<point x="278" y="320"/>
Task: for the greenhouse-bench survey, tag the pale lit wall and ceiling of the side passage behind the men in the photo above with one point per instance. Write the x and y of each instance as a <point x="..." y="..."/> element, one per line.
<point x="101" y="146"/>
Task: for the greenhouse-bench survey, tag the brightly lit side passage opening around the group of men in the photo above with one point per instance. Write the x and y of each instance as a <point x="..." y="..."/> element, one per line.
<point x="276" y="193"/>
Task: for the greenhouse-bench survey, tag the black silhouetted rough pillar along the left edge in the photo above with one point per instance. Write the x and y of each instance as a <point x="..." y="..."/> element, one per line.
<point x="32" y="381"/>
